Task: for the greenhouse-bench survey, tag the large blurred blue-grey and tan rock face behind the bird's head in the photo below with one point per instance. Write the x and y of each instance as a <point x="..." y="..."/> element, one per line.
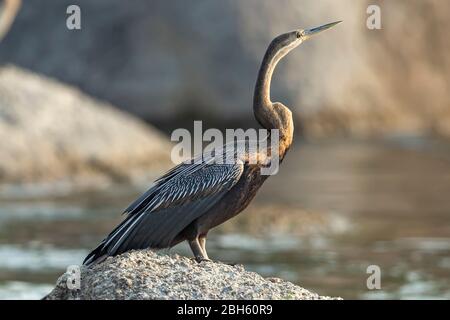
<point x="172" y="62"/>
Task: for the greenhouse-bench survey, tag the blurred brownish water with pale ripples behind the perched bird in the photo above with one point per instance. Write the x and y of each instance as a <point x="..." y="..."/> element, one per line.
<point x="334" y="209"/>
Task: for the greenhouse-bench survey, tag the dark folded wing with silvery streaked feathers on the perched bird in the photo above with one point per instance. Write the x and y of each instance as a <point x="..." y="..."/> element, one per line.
<point x="177" y="199"/>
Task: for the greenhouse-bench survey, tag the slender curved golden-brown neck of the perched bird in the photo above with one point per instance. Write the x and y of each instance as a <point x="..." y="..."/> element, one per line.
<point x="264" y="110"/>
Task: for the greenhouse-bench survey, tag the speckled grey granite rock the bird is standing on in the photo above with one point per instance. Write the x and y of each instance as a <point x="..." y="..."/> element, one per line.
<point x="149" y="275"/>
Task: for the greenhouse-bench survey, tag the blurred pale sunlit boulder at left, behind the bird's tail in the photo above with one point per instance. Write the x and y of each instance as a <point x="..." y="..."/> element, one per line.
<point x="51" y="131"/>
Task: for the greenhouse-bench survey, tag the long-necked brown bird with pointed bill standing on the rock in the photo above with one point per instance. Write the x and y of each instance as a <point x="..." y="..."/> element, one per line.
<point x="196" y="196"/>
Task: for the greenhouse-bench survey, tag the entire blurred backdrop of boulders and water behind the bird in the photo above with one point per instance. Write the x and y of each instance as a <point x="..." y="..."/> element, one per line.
<point x="86" y="117"/>
